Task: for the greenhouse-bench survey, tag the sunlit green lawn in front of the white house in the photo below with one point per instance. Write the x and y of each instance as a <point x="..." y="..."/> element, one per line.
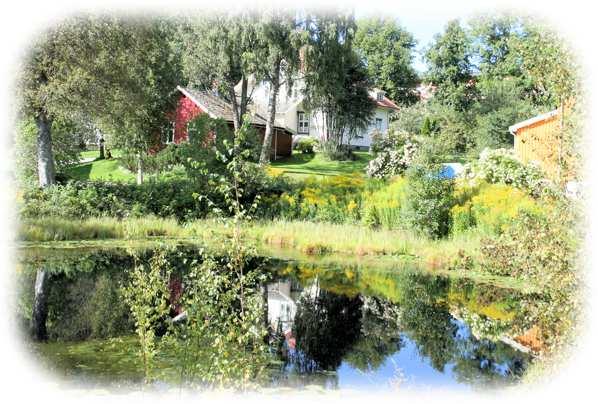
<point x="301" y="165"/>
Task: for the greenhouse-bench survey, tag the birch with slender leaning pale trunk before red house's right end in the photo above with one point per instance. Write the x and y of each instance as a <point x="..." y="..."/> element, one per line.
<point x="280" y="45"/>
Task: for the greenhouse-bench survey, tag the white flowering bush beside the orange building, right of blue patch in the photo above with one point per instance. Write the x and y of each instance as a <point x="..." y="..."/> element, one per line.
<point x="502" y="166"/>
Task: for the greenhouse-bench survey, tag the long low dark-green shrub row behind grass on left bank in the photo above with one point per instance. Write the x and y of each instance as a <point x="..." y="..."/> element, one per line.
<point x="169" y="196"/>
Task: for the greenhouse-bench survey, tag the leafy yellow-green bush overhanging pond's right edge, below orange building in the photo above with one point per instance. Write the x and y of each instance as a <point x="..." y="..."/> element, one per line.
<point x="542" y="248"/>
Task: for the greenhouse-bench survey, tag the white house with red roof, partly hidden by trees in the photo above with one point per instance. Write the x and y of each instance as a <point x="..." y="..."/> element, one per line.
<point x="294" y="117"/>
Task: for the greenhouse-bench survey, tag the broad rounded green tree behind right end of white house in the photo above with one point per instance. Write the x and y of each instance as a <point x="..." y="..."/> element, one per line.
<point x="388" y="51"/>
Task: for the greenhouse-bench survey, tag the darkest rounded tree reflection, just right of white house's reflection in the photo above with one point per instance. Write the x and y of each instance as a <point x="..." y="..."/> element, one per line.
<point x="326" y="327"/>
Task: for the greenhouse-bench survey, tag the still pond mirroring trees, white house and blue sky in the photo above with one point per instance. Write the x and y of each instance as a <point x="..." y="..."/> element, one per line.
<point x="330" y="325"/>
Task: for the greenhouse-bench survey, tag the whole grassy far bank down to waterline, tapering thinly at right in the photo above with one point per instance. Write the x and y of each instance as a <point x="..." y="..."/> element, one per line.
<point x="316" y="243"/>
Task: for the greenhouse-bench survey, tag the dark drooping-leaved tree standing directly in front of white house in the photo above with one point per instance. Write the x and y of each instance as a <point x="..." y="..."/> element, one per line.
<point x="336" y="83"/>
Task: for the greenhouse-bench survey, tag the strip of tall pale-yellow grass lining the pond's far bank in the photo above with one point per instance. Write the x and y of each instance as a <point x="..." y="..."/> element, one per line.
<point x="306" y="237"/>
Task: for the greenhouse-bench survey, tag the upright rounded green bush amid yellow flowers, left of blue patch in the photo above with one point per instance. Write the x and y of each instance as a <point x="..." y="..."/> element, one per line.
<point x="429" y="199"/>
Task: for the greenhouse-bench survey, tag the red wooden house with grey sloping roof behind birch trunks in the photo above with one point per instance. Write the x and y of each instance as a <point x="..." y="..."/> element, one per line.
<point x="192" y="103"/>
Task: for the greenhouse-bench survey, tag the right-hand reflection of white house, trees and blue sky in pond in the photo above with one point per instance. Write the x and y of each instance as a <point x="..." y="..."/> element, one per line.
<point x="333" y="320"/>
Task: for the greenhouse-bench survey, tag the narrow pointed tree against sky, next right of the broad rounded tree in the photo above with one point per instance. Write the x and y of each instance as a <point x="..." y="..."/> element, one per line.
<point x="450" y="67"/>
